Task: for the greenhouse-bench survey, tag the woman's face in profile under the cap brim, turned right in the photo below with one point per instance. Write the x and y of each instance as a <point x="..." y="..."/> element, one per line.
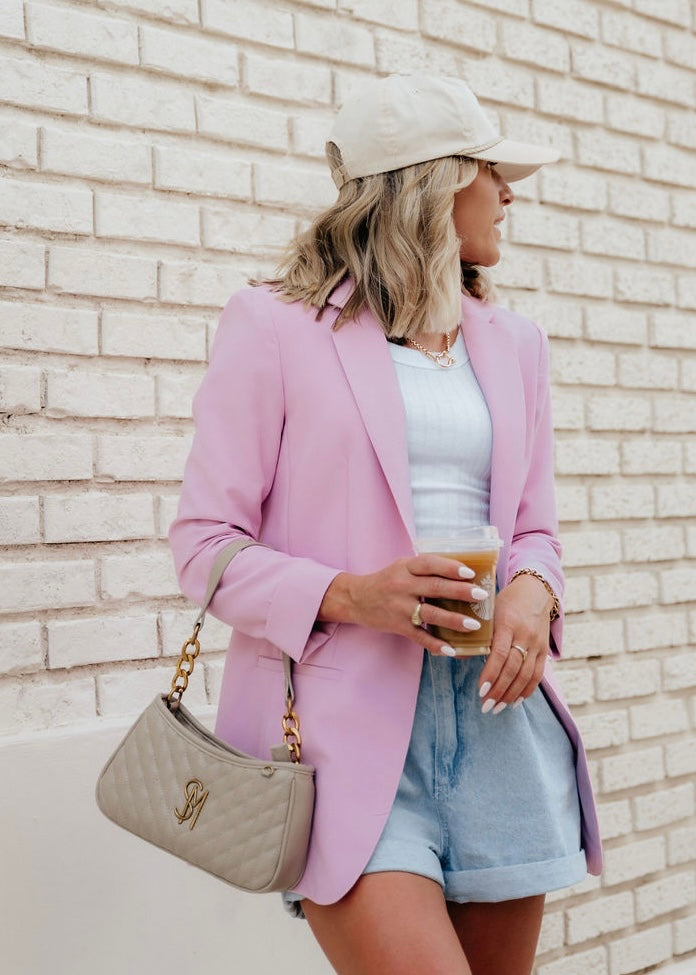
<point x="478" y="209"/>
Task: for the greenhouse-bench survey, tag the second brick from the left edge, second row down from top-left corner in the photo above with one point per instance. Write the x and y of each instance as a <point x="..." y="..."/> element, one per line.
<point x="140" y="102"/>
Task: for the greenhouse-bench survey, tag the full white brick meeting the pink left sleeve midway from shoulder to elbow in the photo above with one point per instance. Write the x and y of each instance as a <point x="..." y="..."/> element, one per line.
<point x="146" y="458"/>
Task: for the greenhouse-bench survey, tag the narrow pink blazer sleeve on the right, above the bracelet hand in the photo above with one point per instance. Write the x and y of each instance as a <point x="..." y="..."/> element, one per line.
<point x="535" y="543"/>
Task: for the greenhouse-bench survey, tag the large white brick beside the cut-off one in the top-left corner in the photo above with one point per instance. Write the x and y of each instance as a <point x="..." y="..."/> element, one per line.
<point x="105" y="38"/>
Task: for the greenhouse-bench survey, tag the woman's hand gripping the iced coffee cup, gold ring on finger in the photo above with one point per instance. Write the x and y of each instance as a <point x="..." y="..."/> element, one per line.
<point x="386" y="600"/>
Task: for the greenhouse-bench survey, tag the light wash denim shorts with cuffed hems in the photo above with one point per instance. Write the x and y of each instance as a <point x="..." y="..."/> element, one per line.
<point x="487" y="805"/>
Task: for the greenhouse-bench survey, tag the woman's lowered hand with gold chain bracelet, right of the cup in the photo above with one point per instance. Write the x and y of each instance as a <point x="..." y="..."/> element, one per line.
<point x="521" y="619"/>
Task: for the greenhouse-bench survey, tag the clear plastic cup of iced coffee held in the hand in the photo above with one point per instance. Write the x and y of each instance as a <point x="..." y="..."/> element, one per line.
<point x="478" y="548"/>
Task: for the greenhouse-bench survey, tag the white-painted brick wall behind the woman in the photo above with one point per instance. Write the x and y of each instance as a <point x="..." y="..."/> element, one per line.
<point x="154" y="153"/>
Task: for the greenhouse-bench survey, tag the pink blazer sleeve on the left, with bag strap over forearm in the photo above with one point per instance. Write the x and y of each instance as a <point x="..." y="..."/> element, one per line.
<point x="239" y="413"/>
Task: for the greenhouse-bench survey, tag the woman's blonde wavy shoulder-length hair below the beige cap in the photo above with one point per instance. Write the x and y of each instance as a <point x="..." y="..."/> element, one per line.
<point x="393" y="233"/>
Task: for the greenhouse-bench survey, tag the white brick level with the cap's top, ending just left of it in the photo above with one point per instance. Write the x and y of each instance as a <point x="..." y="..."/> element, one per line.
<point x="288" y="80"/>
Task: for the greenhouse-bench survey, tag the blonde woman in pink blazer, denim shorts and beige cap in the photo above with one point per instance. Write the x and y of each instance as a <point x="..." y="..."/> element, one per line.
<point x="368" y="395"/>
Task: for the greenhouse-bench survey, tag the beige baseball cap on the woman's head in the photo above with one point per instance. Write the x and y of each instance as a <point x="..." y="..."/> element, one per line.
<point x="392" y="122"/>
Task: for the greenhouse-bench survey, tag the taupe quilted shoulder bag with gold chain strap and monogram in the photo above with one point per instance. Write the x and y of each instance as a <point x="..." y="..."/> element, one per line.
<point x="173" y="783"/>
